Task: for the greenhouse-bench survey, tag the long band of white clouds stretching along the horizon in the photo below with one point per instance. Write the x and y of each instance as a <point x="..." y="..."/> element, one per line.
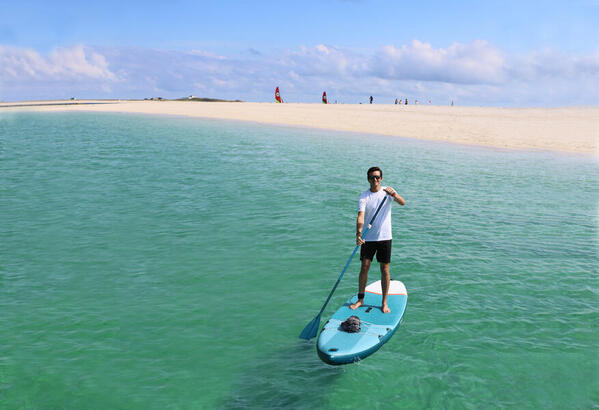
<point x="476" y="73"/>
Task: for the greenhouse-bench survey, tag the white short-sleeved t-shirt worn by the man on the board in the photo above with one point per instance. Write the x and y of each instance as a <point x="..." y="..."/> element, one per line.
<point x="381" y="227"/>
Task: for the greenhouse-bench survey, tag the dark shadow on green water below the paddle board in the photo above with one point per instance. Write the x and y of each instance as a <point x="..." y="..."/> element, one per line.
<point x="288" y="378"/>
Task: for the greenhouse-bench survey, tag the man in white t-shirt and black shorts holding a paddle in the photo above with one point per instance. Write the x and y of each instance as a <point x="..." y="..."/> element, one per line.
<point x="378" y="238"/>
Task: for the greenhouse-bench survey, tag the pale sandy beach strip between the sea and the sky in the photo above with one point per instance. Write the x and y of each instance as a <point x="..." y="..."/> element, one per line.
<point x="571" y="129"/>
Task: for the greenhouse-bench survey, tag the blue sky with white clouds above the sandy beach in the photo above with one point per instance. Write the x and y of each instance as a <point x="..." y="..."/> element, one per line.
<point x="489" y="53"/>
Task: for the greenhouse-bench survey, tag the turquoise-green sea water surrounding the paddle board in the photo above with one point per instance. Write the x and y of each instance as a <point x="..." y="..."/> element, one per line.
<point x="160" y="262"/>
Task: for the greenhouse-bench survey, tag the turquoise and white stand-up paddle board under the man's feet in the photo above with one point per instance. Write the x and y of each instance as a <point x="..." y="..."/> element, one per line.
<point x="336" y="346"/>
